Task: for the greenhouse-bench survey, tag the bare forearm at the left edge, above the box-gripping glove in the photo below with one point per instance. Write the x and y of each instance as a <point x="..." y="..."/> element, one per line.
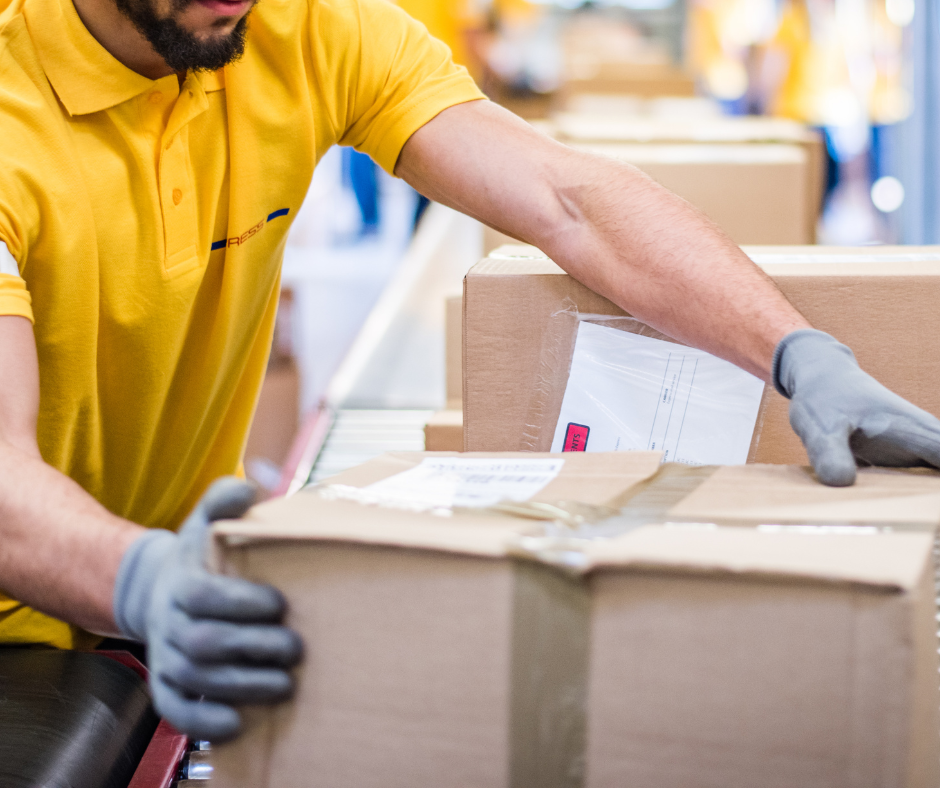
<point x="59" y="548"/>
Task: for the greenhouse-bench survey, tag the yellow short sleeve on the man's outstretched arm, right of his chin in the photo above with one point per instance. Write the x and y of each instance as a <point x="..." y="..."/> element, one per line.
<point x="401" y="79"/>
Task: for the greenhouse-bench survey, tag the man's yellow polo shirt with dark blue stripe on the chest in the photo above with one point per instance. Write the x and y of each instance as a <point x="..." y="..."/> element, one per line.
<point x="147" y="222"/>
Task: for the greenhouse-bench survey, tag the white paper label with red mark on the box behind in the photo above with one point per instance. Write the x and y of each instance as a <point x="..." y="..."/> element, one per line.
<point x="626" y="392"/>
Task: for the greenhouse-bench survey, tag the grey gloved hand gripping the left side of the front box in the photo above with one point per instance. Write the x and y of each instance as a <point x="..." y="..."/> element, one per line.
<point x="213" y="642"/>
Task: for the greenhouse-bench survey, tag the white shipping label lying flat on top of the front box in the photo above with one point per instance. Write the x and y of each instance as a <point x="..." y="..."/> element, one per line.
<point x="446" y="482"/>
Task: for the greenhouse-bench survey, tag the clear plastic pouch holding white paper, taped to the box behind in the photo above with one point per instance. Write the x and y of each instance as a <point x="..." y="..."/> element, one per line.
<point x="609" y="383"/>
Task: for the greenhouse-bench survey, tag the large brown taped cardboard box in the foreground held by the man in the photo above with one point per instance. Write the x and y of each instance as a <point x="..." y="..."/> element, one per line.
<point x="480" y="650"/>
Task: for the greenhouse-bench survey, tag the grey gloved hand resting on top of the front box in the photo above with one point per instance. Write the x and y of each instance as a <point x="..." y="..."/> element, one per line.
<point x="843" y="415"/>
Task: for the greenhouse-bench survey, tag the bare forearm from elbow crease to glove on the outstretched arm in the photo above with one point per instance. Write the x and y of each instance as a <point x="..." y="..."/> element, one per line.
<point x="662" y="261"/>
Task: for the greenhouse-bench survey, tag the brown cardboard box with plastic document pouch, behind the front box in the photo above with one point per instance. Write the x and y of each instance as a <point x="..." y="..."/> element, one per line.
<point x="880" y="301"/>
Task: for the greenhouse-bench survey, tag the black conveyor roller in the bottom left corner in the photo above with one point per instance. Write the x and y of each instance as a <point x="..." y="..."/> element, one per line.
<point x="70" y="720"/>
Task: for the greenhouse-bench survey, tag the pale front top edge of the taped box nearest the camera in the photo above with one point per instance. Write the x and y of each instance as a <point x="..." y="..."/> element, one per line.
<point x="893" y="561"/>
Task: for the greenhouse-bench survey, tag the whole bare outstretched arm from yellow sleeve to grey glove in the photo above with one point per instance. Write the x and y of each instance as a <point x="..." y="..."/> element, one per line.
<point x="609" y="226"/>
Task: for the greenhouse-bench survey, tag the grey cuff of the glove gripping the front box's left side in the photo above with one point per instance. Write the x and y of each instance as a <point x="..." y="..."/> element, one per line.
<point x="135" y="580"/>
